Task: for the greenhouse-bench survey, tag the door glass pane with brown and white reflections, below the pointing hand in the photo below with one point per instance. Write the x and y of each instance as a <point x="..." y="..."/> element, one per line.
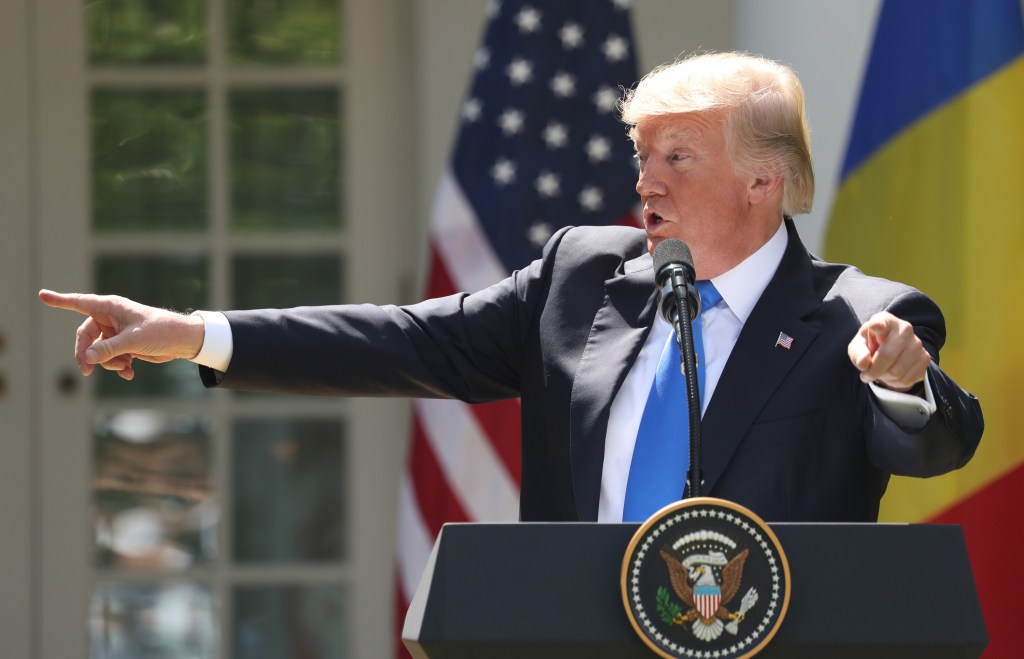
<point x="155" y="504"/>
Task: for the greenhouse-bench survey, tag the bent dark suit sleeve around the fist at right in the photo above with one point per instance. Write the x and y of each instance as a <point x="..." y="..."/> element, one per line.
<point x="951" y="437"/>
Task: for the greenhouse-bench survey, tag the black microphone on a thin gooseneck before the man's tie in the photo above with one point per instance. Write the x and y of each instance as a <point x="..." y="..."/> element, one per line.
<point x="674" y="276"/>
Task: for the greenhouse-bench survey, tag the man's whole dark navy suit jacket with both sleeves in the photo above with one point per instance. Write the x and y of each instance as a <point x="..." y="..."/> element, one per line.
<point x="792" y="434"/>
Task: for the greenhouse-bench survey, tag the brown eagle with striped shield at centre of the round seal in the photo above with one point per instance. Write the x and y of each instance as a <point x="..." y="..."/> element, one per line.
<point x="708" y="605"/>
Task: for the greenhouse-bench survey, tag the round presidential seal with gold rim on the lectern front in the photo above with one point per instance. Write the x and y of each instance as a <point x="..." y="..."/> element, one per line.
<point x="706" y="579"/>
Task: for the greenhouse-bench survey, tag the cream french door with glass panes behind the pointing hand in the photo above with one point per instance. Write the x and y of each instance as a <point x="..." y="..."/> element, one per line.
<point x="191" y="154"/>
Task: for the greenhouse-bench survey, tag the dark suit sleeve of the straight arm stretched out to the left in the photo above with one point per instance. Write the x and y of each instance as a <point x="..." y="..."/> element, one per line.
<point x="464" y="346"/>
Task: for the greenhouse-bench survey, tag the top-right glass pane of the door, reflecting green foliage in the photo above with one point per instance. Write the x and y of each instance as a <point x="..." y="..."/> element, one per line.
<point x="297" y="32"/>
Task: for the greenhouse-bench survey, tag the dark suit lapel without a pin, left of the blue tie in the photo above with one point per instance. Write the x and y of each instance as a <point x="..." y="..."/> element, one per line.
<point x="620" y="328"/>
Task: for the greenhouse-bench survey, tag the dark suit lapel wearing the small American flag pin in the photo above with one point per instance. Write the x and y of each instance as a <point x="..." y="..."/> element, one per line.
<point x="757" y="366"/>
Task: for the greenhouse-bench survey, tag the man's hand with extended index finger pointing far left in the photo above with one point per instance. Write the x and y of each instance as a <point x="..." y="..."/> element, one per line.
<point x="119" y="330"/>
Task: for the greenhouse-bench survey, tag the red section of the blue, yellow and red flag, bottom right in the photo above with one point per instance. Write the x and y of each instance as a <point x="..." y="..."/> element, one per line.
<point x="995" y="534"/>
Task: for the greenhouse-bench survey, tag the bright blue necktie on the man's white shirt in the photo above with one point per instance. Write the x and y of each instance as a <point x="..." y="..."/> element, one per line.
<point x="662" y="454"/>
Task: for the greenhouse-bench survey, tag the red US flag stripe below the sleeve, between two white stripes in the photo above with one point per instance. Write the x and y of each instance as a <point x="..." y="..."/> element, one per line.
<point x="435" y="498"/>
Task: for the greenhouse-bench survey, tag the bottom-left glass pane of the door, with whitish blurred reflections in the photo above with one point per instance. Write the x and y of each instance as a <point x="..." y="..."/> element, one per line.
<point x="138" y="622"/>
